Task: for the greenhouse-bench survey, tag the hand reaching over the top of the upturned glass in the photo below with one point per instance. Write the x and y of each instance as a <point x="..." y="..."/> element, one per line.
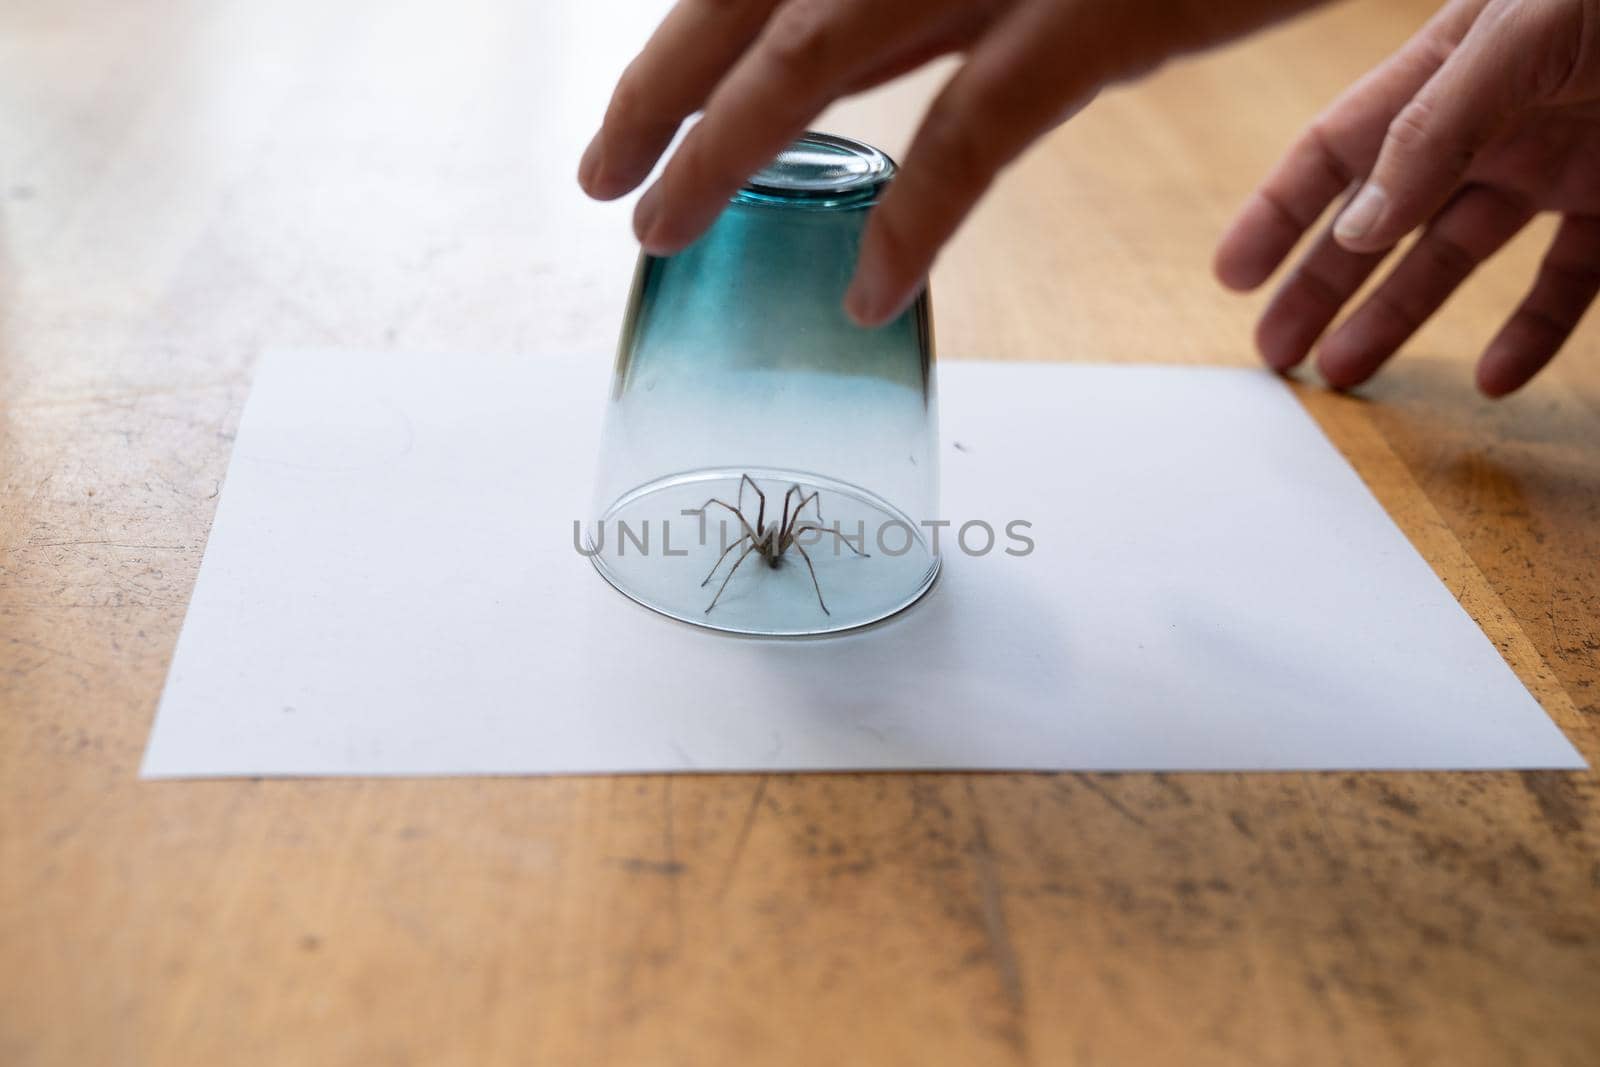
<point x="764" y="70"/>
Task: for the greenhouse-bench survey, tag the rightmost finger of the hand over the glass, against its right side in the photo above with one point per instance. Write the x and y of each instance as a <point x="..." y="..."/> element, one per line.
<point x="1010" y="90"/>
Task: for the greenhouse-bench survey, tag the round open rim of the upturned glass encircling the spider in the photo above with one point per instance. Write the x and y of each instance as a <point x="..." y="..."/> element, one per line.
<point x="721" y="567"/>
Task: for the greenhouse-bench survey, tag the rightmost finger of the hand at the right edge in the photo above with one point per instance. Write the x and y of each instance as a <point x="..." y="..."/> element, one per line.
<point x="1564" y="290"/>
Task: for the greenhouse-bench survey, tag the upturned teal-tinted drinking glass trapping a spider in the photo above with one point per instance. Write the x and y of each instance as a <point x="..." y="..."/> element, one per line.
<point x="767" y="466"/>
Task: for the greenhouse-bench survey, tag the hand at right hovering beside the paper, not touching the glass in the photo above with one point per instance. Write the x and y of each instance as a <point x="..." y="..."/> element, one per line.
<point x="1487" y="118"/>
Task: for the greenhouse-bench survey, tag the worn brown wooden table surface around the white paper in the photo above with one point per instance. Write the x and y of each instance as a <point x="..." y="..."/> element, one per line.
<point x="185" y="183"/>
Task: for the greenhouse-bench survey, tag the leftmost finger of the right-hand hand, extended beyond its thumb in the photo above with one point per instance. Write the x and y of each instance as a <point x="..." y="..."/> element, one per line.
<point x="1335" y="150"/>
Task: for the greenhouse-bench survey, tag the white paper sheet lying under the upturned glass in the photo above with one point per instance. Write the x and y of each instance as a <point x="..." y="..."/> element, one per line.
<point x="391" y="588"/>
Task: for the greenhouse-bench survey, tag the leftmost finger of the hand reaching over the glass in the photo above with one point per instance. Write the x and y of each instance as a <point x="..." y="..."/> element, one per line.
<point x="670" y="81"/>
